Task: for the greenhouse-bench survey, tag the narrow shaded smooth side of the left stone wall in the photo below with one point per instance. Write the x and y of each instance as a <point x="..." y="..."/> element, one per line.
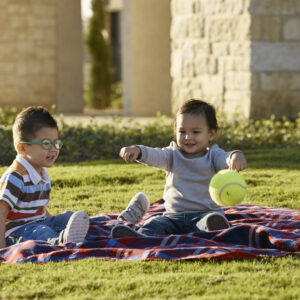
<point x="69" y="58"/>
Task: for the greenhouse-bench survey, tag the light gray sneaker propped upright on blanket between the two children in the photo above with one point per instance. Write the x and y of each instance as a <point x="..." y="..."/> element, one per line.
<point x="136" y="209"/>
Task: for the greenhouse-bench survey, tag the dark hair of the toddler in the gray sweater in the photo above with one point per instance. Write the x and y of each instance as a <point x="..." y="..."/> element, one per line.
<point x="198" y="107"/>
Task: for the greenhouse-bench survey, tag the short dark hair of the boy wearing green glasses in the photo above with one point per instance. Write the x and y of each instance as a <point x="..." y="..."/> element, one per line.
<point x="29" y="121"/>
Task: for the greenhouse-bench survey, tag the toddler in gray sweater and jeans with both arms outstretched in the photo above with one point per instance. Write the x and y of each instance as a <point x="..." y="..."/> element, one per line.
<point x="189" y="163"/>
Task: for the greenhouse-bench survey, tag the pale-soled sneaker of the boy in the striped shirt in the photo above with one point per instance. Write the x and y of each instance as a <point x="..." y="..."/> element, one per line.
<point x="76" y="229"/>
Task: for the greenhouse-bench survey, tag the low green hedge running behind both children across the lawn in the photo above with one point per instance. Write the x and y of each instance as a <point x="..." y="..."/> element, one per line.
<point x="102" y="142"/>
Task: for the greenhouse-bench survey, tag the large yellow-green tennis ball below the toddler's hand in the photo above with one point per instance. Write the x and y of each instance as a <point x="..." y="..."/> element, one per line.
<point x="227" y="188"/>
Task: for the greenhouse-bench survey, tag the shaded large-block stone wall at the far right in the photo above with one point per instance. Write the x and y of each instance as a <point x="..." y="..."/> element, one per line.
<point x="275" y="57"/>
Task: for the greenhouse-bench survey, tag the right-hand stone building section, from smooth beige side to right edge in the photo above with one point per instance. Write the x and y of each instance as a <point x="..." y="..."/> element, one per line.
<point x="241" y="55"/>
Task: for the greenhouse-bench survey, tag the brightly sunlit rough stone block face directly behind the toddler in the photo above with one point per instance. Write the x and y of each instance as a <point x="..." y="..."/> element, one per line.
<point x="210" y="42"/>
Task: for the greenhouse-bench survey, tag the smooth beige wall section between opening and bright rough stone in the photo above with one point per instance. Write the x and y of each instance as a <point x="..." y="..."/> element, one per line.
<point x="146" y="57"/>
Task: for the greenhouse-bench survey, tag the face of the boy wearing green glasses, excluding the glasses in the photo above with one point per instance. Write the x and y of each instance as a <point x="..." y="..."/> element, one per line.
<point x="35" y="154"/>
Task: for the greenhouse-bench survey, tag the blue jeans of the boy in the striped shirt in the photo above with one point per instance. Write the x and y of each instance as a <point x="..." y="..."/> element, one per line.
<point x="46" y="230"/>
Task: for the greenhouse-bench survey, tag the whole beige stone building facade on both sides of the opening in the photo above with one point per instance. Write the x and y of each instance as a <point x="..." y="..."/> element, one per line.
<point x="241" y="55"/>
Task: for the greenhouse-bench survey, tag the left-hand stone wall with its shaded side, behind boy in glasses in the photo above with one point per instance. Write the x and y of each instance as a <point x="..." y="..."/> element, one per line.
<point x="31" y="52"/>
